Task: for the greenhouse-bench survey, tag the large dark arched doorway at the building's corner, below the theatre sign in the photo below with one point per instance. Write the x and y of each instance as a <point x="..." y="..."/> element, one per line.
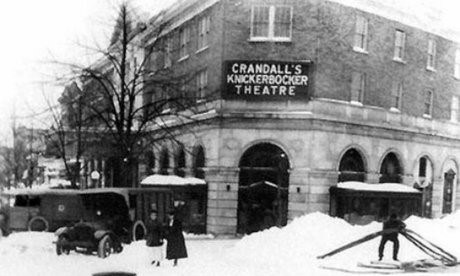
<point x="263" y="188"/>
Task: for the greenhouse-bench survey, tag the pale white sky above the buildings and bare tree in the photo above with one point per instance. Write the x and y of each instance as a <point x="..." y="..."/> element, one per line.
<point x="34" y="33"/>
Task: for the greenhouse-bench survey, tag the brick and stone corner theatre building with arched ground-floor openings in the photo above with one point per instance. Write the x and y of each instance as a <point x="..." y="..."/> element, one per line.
<point x="296" y="96"/>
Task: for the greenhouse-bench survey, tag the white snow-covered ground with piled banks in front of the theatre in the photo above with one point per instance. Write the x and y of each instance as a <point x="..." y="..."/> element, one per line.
<point x="288" y="251"/>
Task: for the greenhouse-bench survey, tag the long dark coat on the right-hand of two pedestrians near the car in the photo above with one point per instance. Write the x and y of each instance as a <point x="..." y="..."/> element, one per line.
<point x="175" y="248"/>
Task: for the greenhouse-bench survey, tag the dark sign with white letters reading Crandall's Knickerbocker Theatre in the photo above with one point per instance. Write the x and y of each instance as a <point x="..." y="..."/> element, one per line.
<point x="266" y="80"/>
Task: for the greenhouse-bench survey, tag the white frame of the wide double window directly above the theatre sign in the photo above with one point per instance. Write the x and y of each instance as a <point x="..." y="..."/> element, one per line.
<point x="271" y="25"/>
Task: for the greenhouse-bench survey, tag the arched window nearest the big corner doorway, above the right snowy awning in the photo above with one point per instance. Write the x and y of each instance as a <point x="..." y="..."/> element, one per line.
<point x="351" y="167"/>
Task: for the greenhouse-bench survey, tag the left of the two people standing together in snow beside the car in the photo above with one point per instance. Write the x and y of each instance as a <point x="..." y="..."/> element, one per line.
<point x="154" y="237"/>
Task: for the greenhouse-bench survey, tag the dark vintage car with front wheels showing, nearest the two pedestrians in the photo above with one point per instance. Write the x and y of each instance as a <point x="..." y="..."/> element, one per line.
<point x="111" y="217"/>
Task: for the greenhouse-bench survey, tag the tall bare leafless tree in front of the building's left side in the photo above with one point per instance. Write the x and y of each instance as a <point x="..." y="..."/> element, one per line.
<point x="130" y="98"/>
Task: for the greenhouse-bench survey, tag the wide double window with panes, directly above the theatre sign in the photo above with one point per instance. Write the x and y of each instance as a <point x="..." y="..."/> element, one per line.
<point x="271" y="23"/>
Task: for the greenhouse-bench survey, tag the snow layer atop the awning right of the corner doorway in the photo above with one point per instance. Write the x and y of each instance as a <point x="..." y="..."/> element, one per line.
<point x="384" y="187"/>
